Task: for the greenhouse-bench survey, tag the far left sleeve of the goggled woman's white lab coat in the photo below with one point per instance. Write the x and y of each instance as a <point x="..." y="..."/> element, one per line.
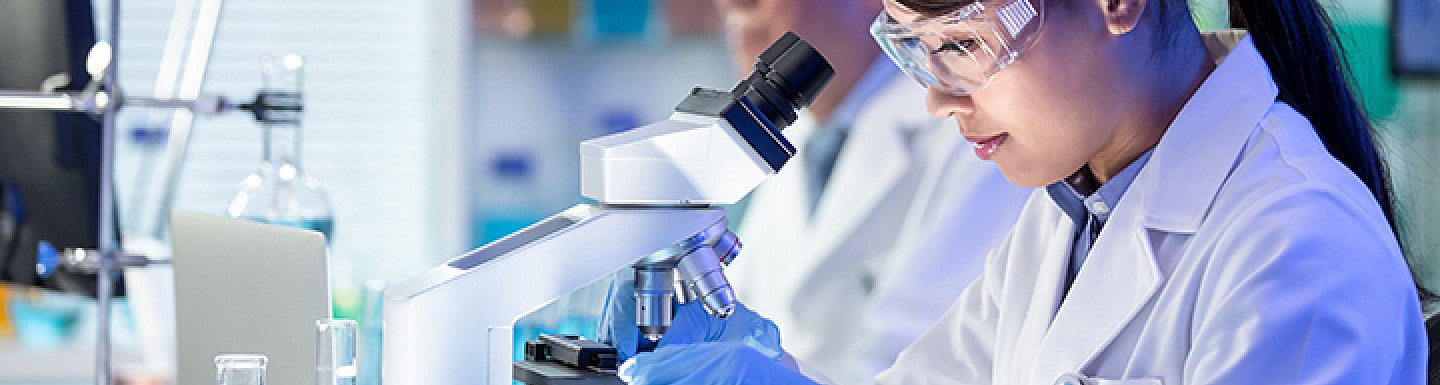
<point x="958" y="348"/>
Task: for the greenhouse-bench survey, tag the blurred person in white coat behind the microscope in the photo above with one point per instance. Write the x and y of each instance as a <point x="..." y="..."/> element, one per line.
<point x="840" y="247"/>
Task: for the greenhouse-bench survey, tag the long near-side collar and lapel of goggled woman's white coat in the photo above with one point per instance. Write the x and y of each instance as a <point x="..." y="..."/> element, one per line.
<point x="1173" y="194"/>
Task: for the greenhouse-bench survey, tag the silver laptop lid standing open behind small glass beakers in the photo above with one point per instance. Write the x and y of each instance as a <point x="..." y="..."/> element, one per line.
<point x="247" y="288"/>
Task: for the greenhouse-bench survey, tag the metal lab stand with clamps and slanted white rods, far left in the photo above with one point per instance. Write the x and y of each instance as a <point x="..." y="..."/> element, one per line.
<point x="182" y="97"/>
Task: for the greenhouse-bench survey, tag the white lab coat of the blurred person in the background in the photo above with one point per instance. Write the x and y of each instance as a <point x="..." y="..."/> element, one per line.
<point x="853" y="288"/>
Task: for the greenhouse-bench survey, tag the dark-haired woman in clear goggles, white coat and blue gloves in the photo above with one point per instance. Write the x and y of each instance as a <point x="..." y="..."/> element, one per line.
<point x="1215" y="207"/>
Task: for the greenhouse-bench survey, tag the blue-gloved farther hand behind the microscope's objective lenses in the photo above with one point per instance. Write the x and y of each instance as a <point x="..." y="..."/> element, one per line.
<point x="690" y="325"/>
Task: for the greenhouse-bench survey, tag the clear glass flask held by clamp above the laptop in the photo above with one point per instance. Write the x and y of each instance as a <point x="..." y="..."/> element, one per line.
<point x="280" y="192"/>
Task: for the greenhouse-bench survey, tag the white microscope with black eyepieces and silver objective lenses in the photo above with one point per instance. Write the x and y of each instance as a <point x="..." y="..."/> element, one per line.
<point x="656" y="190"/>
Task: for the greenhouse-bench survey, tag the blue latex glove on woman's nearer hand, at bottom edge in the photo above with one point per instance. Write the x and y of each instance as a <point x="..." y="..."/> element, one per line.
<point x="708" y="363"/>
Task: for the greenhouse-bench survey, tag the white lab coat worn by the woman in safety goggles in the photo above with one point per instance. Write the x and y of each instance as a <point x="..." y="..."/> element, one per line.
<point x="1243" y="253"/>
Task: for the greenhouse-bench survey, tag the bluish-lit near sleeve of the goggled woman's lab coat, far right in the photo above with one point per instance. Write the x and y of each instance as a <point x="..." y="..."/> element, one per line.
<point x="1307" y="288"/>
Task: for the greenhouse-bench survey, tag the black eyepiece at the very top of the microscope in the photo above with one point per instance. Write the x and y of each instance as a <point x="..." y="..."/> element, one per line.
<point x="788" y="77"/>
